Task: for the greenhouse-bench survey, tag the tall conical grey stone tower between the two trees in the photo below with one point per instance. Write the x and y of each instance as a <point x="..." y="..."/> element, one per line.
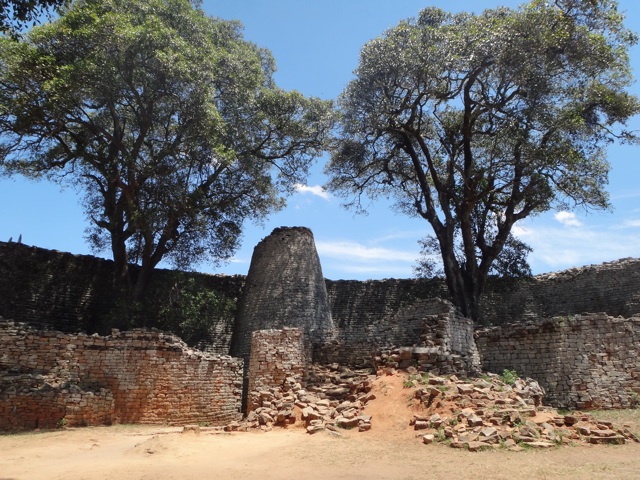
<point x="284" y="288"/>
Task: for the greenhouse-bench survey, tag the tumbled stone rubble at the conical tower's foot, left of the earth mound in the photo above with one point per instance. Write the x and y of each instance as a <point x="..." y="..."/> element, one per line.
<point x="332" y="399"/>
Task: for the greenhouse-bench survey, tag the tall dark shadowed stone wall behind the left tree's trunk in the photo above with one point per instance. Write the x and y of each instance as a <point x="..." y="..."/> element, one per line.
<point x="75" y="293"/>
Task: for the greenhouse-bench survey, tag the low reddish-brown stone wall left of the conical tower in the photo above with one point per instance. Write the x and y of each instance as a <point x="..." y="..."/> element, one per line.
<point x="49" y="378"/>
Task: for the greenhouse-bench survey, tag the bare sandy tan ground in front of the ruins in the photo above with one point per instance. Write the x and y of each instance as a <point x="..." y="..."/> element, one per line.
<point x="389" y="451"/>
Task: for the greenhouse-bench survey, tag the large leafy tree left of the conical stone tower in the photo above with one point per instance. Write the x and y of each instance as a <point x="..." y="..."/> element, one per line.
<point x="168" y="121"/>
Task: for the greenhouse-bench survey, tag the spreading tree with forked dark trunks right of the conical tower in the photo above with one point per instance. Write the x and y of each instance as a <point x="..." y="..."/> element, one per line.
<point x="475" y="122"/>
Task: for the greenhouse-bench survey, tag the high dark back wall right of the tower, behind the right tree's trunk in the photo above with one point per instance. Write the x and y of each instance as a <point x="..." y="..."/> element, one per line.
<point x="612" y="287"/>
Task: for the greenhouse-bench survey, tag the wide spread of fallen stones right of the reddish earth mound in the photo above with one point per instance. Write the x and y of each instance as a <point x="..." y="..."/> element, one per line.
<point x="487" y="412"/>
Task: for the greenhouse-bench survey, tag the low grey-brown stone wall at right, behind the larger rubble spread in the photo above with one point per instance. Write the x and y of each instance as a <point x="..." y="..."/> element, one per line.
<point x="586" y="361"/>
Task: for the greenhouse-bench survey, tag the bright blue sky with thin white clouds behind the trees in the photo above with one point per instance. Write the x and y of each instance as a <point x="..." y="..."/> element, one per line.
<point x="316" y="46"/>
